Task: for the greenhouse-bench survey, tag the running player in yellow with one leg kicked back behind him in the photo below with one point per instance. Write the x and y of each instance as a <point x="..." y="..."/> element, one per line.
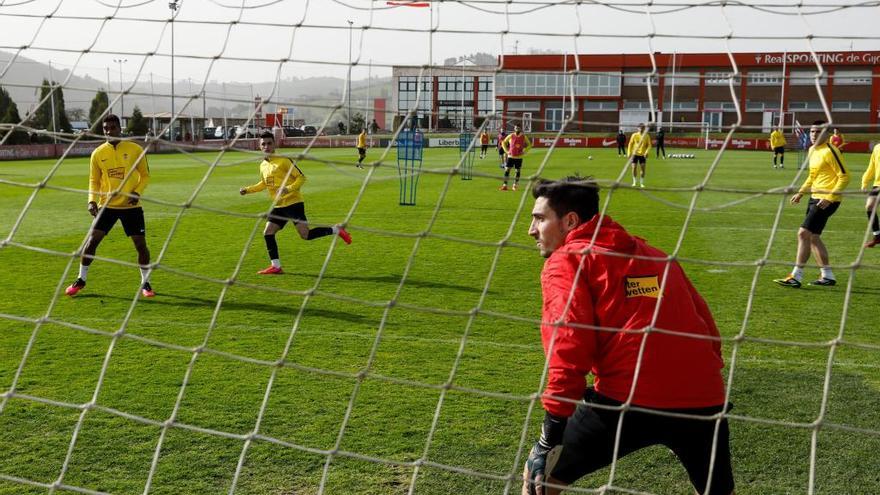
<point x="282" y="179"/>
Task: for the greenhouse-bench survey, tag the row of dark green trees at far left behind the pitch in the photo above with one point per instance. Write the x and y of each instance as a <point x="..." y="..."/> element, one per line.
<point x="52" y="116"/>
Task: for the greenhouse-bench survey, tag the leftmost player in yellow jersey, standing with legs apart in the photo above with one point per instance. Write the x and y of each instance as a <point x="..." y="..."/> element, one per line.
<point x="118" y="175"/>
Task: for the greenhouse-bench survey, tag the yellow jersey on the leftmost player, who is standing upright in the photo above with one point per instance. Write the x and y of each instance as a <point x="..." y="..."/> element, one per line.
<point x="117" y="170"/>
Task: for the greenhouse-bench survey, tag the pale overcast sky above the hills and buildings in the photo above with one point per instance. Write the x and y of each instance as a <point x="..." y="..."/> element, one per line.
<point x="250" y="37"/>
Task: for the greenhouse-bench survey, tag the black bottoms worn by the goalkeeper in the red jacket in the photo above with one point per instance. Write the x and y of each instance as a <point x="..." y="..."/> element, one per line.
<point x="588" y="442"/>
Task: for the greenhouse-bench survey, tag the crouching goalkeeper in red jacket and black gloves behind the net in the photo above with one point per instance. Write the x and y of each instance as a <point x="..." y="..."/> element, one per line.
<point x="656" y="362"/>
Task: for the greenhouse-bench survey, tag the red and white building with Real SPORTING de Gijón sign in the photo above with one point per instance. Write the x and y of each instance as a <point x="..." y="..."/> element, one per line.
<point x="687" y="90"/>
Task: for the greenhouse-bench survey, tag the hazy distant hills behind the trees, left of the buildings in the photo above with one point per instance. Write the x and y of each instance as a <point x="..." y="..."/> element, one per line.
<point x="310" y="97"/>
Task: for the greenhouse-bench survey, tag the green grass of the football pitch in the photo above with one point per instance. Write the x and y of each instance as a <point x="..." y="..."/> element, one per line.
<point x="332" y="305"/>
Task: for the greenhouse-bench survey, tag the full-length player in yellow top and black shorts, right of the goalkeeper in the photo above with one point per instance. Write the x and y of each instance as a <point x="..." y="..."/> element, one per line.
<point x="828" y="178"/>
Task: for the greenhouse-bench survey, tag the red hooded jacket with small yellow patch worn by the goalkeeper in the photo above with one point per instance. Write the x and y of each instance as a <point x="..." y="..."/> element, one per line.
<point x="616" y="294"/>
